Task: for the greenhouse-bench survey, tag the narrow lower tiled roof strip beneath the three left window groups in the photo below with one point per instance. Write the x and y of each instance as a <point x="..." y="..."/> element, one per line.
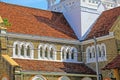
<point x="49" y="66"/>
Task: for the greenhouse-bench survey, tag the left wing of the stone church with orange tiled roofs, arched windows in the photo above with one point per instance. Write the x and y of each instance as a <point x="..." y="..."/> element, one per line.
<point x="39" y="45"/>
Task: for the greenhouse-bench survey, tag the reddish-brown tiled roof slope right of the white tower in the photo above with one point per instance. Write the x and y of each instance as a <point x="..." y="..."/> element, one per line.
<point x="104" y="23"/>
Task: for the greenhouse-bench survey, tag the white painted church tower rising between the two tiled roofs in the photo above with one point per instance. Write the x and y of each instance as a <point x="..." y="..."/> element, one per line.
<point x="82" y="14"/>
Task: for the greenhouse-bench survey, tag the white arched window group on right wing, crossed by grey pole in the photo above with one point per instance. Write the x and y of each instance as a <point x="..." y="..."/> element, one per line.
<point x="90" y="53"/>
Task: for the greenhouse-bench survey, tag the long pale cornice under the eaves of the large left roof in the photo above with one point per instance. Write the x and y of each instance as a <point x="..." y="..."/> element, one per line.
<point x="42" y="38"/>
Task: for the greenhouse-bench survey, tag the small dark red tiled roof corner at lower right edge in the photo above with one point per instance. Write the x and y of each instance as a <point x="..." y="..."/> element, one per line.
<point x="115" y="63"/>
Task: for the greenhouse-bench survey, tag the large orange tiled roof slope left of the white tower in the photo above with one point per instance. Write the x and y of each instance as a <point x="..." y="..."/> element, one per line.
<point x="36" y="22"/>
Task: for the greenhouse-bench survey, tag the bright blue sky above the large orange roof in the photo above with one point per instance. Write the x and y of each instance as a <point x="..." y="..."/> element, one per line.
<point x="41" y="4"/>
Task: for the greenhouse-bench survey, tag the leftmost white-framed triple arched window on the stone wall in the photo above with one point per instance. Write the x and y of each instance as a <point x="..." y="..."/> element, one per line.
<point x="23" y="49"/>
